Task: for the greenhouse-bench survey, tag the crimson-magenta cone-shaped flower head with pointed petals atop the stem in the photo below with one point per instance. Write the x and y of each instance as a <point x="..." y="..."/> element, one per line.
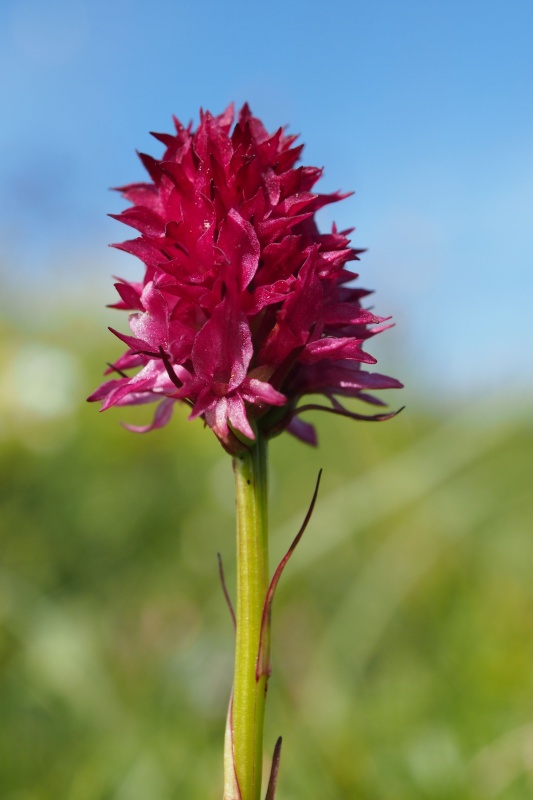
<point x="245" y="306"/>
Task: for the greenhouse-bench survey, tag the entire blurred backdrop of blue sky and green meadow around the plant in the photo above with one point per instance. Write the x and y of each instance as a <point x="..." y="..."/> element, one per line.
<point x="403" y="627"/>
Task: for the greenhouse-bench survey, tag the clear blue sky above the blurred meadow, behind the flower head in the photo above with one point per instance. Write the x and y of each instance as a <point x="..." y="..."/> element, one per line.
<point x="424" y="108"/>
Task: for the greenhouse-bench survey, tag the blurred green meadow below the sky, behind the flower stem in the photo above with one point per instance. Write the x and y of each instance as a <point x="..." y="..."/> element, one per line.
<point x="402" y="630"/>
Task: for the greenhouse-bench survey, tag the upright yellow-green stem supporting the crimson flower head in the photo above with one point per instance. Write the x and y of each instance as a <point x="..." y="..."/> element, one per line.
<point x="249" y="690"/>
